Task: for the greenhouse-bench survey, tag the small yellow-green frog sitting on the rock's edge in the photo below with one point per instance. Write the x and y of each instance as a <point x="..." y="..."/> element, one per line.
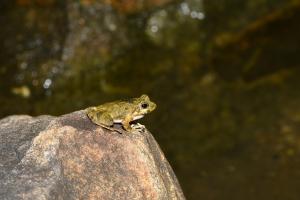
<point x="122" y="112"/>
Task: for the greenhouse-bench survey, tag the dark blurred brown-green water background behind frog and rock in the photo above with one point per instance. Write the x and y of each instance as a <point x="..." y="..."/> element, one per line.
<point x="225" y="75"/>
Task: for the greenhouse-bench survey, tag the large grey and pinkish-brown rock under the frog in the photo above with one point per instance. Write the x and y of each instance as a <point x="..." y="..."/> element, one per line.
<point x="68" y="157"/>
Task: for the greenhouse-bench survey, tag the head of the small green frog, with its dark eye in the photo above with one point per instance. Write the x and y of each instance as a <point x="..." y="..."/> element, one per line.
<point x="144" y="105"/>
